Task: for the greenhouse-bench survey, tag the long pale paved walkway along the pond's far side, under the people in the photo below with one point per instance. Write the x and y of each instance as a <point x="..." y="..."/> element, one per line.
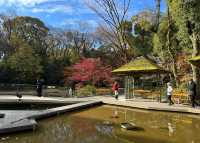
<point x="133" y="103"/>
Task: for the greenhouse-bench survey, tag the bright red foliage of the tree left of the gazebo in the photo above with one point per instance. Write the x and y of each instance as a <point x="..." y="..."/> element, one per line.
<point x="91" y="70"/>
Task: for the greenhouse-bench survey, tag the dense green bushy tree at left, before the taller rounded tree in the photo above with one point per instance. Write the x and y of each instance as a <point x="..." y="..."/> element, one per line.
<point x="24" y="63"/>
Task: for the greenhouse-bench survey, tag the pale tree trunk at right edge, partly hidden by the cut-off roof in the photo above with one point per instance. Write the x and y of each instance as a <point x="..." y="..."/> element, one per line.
<point x="195" y="70"/>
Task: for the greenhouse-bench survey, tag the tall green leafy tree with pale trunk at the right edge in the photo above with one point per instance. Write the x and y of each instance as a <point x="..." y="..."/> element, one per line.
<point x="186" y="13"/>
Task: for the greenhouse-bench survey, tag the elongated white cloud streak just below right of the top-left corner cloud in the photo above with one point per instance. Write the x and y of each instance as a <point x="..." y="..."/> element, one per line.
<point x="53" y="9"/>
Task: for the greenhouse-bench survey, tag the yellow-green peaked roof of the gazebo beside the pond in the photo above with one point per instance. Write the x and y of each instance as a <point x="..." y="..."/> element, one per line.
<point x="140" y="65"/>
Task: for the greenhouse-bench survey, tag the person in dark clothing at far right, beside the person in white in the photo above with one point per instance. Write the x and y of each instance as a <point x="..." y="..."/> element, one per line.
<point x="192" y="92"/>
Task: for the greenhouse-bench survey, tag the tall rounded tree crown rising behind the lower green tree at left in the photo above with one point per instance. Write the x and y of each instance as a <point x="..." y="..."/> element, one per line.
<point x="31" y="30"/>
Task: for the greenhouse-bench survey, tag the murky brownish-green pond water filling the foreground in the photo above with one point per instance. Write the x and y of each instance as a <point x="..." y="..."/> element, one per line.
<point x="97" y="125"/>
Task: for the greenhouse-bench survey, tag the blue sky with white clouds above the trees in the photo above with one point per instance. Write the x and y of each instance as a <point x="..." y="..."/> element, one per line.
<point x="65" y="13"/>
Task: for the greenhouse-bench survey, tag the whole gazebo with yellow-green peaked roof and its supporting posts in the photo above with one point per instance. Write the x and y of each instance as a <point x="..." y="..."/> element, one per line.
<point x="138" y="67"/>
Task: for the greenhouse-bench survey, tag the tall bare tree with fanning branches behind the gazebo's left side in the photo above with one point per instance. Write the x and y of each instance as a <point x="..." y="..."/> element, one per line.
<point x="113" y="13"/>
